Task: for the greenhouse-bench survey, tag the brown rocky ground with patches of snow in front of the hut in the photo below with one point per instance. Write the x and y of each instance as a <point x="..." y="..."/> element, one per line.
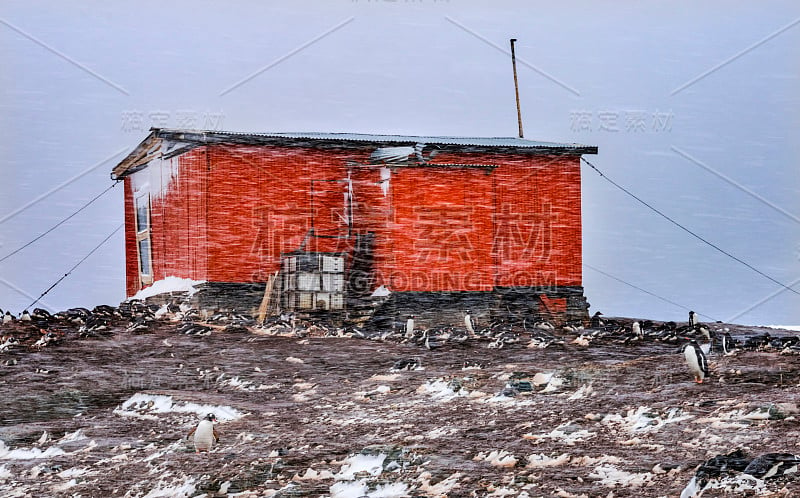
<point x="299" y="415"/>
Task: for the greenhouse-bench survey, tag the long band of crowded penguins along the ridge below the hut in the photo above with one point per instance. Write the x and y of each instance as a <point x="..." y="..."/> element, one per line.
<point x="39" y="329"/>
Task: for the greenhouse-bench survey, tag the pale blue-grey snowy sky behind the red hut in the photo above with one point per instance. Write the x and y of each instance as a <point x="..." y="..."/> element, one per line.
<point x="695" y="108"/>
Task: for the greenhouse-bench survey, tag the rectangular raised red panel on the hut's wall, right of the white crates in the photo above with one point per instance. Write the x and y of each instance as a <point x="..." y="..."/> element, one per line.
<point x="442" y="229"/>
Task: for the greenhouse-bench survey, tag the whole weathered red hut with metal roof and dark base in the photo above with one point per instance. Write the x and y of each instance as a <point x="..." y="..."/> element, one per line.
<point x="441" y="223"/>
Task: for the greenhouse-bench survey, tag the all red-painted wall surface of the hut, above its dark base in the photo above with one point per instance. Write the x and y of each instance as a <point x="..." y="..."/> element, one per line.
<point x="231" y="211"/>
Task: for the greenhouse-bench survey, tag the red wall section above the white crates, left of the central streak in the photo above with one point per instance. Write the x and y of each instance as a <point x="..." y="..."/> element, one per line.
<point x="260" y="206"/>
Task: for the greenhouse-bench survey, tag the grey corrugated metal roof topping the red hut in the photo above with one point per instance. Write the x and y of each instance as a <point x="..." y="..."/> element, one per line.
<point x="369" y="137"/>
